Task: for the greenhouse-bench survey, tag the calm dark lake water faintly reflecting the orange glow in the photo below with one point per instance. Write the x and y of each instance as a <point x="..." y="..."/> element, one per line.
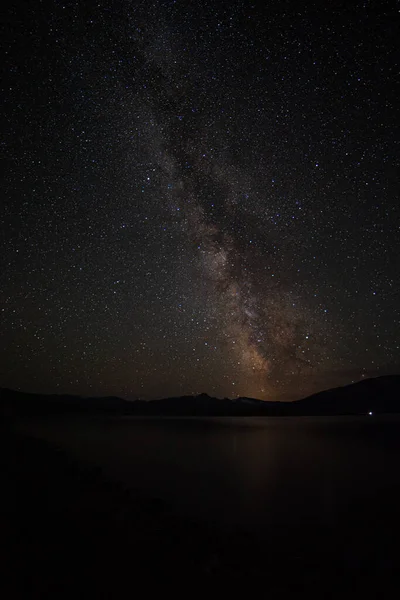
<point x="248" y="472"/>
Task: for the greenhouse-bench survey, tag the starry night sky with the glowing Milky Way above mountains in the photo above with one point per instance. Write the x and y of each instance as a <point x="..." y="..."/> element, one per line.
<point x="199" y="196"/>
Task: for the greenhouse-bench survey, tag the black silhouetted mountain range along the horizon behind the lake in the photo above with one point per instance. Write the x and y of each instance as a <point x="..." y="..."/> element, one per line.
<point x="380" y="395"/>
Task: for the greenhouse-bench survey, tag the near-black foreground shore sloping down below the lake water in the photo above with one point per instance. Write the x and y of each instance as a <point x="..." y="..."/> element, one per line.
<point x="68" y="532"/>
